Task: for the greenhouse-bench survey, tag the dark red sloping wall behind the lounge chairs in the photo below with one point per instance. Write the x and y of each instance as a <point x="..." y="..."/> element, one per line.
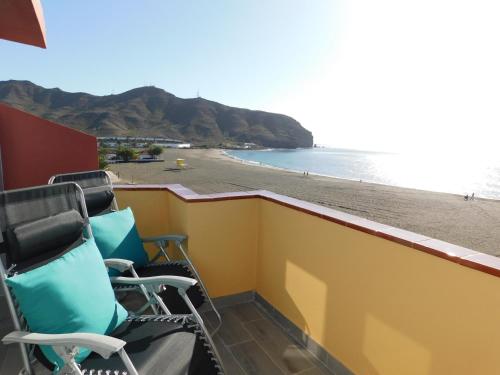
<point x="33" y="149"/>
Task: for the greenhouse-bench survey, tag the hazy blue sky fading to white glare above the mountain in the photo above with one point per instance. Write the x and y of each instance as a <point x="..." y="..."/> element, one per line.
<point x="380" y="75"/>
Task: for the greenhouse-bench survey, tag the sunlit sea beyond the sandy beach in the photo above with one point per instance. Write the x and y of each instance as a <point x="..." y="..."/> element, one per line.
<point x="457" y="173"/>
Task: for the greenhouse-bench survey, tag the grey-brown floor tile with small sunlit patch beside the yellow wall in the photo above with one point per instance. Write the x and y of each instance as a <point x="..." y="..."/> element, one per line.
<point x="287" y="354"/>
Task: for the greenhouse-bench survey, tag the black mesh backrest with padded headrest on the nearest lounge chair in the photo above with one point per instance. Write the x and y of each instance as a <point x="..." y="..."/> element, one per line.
<point x="37" y="225"/>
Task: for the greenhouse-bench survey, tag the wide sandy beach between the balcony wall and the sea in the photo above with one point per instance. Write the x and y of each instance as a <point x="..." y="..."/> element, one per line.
<point x="472" y="224"/>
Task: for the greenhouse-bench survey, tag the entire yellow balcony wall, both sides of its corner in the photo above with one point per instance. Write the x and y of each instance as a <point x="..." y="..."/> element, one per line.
<point x="378" y="306"/>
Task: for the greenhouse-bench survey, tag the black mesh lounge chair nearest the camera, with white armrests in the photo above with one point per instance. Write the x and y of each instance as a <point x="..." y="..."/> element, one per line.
<point x="40" y="227"/>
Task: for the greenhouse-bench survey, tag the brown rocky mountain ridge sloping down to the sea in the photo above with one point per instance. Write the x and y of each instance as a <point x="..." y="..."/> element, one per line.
<point x="150" y="111"/>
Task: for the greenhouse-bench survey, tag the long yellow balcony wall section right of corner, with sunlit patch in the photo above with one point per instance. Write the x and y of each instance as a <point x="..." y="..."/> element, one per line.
<point x="377" y="306"/>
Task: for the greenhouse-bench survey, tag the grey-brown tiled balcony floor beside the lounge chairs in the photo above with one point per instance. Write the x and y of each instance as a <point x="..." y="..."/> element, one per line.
<point x="249" y="342"/>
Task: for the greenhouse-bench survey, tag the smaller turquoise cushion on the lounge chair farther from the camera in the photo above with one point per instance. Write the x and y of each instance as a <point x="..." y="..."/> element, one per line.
<point x="117" y="237"/>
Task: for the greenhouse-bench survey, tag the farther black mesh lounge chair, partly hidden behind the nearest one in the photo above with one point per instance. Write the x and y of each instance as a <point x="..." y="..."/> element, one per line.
<point x="100" y="199"/>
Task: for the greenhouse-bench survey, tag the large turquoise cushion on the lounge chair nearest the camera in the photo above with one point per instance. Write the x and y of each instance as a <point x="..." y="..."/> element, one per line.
<point x="70" y="294"/>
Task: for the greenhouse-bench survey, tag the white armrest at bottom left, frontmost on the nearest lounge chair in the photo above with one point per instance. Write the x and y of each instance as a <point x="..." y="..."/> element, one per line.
<point x="105" y="346"/>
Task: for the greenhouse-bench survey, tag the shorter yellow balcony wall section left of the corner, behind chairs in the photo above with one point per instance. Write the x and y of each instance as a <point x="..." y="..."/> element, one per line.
<point x="222" y="235"/>
